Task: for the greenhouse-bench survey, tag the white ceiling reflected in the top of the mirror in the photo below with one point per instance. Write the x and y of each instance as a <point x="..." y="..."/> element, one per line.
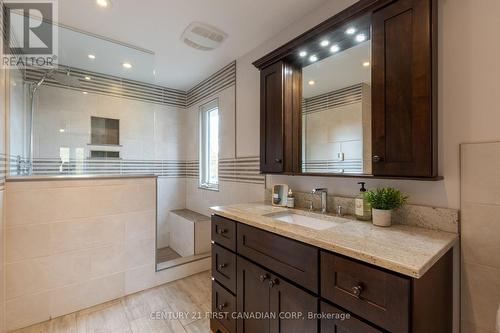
<point x="338" y="71"/>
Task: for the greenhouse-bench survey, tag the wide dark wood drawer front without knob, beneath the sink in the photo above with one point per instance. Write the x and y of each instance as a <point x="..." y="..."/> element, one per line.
<point x="297" y="261"/>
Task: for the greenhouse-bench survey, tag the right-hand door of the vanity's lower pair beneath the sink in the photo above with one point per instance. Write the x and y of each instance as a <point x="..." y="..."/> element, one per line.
<point x="291" y="306"/>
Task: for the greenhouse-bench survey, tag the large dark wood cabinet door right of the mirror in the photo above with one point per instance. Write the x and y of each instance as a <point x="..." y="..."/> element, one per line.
<point x="404" y="118"/>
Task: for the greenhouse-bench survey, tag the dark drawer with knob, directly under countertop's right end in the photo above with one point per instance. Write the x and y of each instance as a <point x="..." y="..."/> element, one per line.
<point x="373" y="294"/>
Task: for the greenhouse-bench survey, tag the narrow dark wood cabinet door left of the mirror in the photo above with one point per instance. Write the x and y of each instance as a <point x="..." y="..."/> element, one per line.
<point x="271" y="118"/>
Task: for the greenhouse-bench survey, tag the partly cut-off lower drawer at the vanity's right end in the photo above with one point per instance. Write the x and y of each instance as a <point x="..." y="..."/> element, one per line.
<point x="340" y="321"/>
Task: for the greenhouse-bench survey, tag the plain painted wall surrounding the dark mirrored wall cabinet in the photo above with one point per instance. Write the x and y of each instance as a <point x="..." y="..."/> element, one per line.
<point x="468" y="96"/>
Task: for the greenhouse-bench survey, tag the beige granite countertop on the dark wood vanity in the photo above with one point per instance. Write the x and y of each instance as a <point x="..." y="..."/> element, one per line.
<point x="403" y="249"/>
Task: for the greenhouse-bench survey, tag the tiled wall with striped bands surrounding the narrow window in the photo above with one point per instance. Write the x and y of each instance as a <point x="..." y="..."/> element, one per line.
<point x="239" y="176"/>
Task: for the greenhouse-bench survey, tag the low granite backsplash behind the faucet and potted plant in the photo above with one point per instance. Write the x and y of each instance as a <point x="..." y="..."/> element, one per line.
<point x="442" y="219"/>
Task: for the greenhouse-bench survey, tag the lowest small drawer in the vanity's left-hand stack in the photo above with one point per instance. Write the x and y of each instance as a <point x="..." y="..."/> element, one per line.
<point x="223" y="306"/>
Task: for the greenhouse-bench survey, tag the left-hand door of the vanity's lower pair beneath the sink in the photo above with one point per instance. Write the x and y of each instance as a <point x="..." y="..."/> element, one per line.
<point x="253" y="296"/>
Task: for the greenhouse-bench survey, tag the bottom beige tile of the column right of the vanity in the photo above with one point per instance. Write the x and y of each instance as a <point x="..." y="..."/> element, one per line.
<point x="480" y="295"/>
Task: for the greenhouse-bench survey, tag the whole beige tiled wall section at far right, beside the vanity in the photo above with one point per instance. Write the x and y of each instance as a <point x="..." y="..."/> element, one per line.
<point x="480" y="226"/>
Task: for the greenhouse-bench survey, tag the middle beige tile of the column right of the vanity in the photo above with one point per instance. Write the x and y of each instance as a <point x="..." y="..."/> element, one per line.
<point x="481" y="234"/>
